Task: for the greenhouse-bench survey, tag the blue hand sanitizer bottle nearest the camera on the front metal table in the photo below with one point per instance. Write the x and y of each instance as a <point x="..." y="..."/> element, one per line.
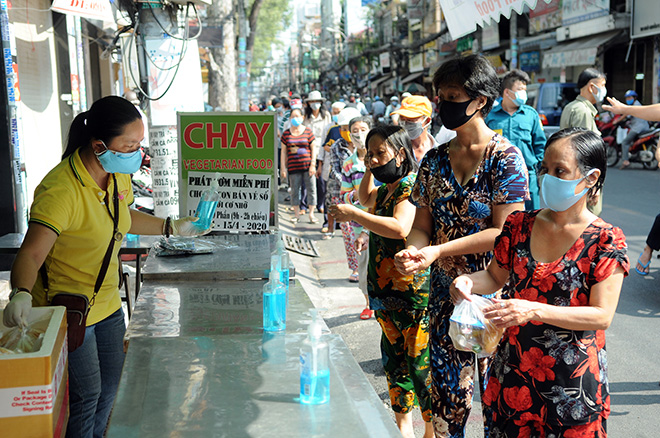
<point x="314" y="365"/>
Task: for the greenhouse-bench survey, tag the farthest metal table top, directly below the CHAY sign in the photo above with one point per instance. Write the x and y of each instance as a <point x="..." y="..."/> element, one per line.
<point x="236" y="257"/>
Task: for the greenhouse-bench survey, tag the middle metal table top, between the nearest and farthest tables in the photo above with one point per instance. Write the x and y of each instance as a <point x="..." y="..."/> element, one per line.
<point x="171" y="309"/>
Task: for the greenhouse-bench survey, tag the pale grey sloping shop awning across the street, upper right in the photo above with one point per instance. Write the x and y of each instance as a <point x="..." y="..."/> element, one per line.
<point x="582" y="51"/>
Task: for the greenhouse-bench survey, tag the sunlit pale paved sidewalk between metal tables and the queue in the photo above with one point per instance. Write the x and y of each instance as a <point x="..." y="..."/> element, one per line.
<point x="325" y="280"/>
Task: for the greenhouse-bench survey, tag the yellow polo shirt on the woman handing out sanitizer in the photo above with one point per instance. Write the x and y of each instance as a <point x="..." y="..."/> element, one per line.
<point x="69" y="202"/>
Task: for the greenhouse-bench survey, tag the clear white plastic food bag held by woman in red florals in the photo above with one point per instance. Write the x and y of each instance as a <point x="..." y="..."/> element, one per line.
<point x="471" y="331"/>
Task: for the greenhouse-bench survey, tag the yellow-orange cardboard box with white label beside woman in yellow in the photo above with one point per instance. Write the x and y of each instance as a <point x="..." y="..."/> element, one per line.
<point x="34" y="390"/>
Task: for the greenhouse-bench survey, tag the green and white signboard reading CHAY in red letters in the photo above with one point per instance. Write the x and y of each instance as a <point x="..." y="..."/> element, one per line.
<point x="239" y="151"/>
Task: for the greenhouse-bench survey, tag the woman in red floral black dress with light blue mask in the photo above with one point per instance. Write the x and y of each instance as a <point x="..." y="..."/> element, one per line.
<point x="562" y="269"/>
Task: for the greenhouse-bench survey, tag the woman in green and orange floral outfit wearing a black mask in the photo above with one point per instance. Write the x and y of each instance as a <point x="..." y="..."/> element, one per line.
<point x="399" y="300"/>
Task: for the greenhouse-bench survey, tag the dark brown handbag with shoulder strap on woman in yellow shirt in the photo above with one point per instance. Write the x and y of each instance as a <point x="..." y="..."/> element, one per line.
<point x="78" y="305"/>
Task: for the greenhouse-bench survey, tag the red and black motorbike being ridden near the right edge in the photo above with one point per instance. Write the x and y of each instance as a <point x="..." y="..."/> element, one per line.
<point x="642" y="150"/>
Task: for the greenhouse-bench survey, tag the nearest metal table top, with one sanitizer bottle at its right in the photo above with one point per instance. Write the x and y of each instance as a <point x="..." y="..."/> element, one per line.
<point x="240" y="386"/>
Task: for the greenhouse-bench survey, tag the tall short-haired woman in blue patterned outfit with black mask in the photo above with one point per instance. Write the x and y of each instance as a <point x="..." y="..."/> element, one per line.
<point x="464" y="191"/>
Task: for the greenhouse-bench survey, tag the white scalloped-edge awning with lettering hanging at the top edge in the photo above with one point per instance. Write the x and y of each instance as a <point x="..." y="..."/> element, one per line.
<point x="463" y="16"/>
